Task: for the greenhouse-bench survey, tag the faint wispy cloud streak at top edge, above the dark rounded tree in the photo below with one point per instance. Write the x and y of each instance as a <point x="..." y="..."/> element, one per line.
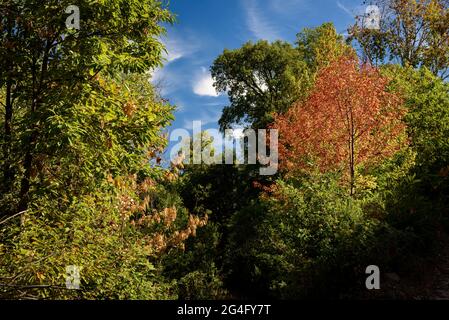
<point x="258" y="23"/>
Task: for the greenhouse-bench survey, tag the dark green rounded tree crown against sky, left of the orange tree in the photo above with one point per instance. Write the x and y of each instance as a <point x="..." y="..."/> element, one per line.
<point x="260" y="79"/>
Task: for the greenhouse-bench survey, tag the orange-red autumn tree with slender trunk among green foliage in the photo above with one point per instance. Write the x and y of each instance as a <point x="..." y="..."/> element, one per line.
<point x="349" y="119"/>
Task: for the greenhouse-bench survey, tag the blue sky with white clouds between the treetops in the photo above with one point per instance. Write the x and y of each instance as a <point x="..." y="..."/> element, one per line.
<point x="205" y="28"/>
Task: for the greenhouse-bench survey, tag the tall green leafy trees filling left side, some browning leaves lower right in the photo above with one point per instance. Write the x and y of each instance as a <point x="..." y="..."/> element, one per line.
<point x="80" y="180"/>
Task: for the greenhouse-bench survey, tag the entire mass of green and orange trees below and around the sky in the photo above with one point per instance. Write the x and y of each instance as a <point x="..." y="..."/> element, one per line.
<point x="363" y="127"/>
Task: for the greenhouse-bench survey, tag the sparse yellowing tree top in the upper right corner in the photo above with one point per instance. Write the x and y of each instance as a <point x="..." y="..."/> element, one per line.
<point x="412" y="32"/>
